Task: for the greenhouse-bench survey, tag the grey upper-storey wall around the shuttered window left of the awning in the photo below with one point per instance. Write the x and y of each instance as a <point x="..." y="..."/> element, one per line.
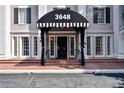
<point x="25" y="27"/>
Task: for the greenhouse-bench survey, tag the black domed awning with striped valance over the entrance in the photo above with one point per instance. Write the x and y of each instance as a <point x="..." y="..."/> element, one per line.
<point x="62" y="18"/>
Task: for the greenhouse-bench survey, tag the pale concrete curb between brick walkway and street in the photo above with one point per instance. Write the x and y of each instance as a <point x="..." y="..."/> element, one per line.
<point x="88" y="71"/>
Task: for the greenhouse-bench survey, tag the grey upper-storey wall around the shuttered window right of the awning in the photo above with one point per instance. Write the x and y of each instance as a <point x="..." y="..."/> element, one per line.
<point x="98" y="27"/>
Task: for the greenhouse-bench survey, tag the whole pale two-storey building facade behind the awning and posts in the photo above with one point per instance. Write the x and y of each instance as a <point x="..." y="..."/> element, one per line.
<point x="20" y="37"/>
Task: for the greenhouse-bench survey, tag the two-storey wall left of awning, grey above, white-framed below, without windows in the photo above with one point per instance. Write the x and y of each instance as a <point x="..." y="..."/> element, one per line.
<point x="24" y="30"/>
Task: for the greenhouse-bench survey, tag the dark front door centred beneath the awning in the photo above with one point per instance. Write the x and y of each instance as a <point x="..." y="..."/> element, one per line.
<point x="62" y="47"/>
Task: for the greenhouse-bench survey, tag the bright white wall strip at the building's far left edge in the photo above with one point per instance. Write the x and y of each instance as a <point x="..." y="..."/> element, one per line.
<point x="5" y="31"/>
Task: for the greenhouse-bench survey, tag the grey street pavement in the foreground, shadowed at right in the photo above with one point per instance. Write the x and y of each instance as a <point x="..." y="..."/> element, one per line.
<point x="62" y="80"/>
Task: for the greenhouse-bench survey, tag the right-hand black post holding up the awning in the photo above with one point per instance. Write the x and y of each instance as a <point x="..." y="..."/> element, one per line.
<point x="82" y="46"/>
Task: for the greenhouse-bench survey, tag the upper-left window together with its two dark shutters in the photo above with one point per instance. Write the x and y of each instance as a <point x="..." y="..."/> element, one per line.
<point x="22" y="15"/>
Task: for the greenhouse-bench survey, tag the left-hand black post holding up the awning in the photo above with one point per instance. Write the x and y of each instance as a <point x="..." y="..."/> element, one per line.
<point x="42" y="50"/>
